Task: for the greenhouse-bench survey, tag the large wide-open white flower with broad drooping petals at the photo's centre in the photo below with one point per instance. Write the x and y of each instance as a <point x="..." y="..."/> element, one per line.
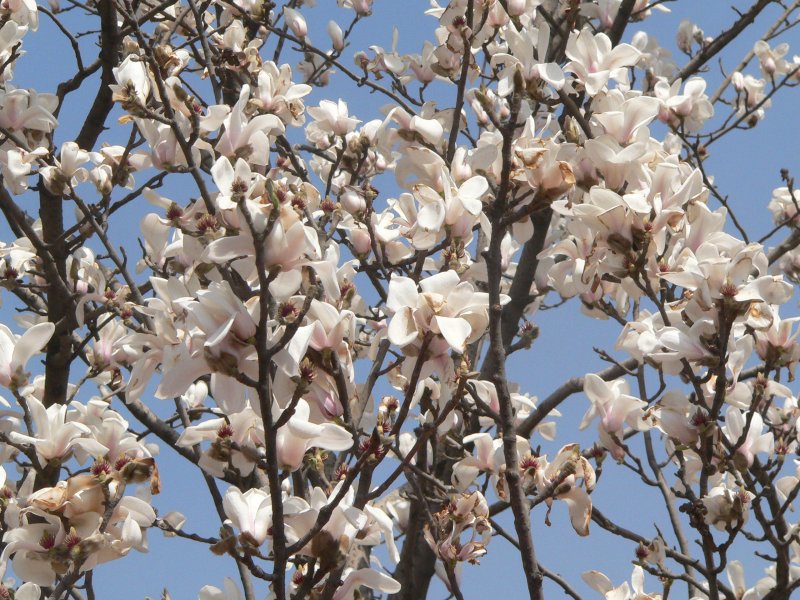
<point x="446" y="306"/>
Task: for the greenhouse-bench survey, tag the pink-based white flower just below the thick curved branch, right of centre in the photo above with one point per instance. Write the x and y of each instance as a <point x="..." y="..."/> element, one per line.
<point x="615" y="407"/>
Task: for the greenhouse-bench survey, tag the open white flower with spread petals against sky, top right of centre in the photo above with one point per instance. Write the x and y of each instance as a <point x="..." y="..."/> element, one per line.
<point x="594" y="61"/>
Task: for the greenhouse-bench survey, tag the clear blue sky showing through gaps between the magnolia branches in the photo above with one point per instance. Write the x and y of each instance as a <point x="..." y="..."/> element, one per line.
<point x="746" y="166"/>
